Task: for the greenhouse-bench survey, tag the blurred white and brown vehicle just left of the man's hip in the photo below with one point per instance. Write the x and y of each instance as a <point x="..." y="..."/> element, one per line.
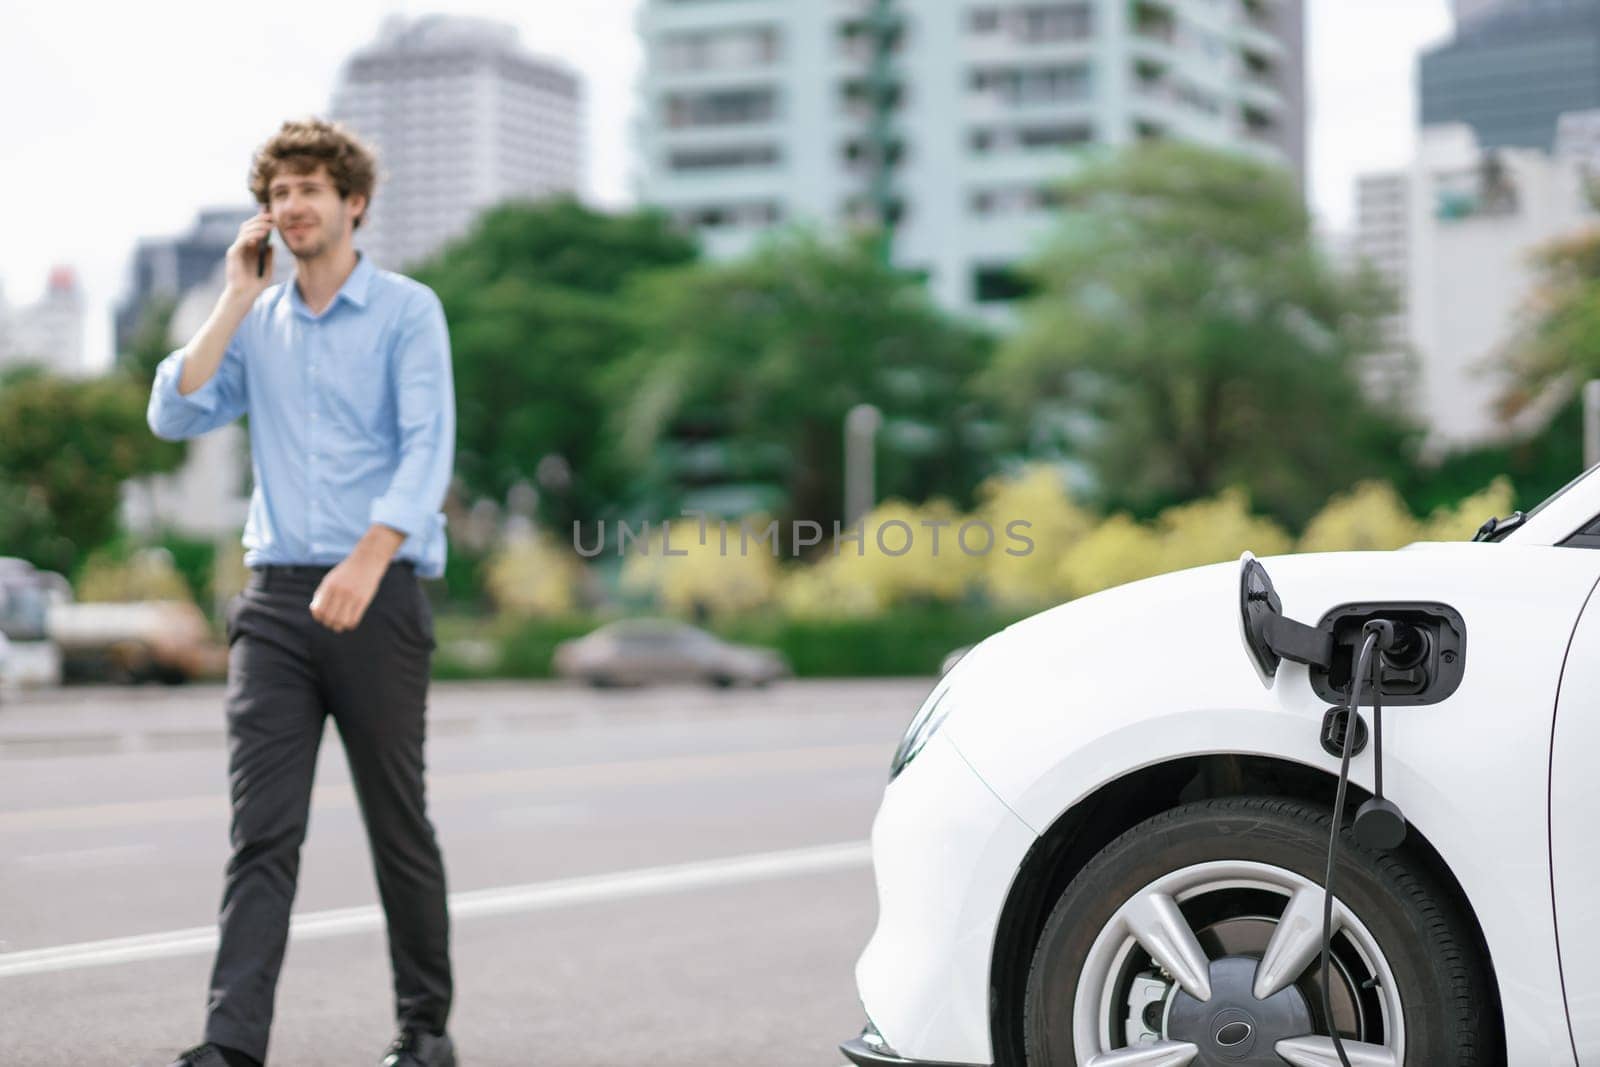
<point x="154" y="641"/>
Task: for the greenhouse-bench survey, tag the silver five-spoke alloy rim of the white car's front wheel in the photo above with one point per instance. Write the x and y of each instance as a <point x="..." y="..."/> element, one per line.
<point x="1238" y="943"/>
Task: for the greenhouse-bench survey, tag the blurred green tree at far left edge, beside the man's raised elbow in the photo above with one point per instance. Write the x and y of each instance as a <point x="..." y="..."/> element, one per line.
<point x="66" y="447"/>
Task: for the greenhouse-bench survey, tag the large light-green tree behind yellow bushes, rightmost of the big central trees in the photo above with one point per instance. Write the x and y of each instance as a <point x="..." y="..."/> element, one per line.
<point x="1188" y="327"/>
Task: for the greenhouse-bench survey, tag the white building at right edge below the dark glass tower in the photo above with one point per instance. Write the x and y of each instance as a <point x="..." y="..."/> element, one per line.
<point x="1457" y="234"/>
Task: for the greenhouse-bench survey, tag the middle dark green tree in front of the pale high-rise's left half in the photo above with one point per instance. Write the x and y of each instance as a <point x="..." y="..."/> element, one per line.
<point x="766" y="358"/>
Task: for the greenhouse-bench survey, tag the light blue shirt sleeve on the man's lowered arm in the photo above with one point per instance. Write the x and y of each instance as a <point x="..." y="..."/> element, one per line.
<point x="426" y="417"/>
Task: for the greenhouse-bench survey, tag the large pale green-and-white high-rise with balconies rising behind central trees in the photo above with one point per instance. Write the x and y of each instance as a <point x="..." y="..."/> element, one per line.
<point x="951" y="121"/>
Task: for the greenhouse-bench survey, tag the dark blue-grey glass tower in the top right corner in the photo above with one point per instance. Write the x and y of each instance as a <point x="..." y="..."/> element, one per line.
<point x="1513" y="68"/>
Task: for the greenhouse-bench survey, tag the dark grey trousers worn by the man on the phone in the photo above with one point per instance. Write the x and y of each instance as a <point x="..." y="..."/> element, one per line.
<point x="286" y="674"/>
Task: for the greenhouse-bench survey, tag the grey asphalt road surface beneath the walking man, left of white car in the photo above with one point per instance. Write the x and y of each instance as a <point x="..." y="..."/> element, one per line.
<point x="638" y="877"/>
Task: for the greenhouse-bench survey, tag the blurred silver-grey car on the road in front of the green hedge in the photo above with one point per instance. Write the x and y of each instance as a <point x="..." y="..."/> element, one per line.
<point x="639" y="652"/>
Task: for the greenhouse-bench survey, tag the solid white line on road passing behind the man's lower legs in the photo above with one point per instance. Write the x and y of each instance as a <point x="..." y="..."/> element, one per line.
<point x="505" y="901"/>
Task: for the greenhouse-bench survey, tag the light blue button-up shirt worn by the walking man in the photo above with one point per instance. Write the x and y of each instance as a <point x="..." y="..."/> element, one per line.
<point x="353" y="418"/>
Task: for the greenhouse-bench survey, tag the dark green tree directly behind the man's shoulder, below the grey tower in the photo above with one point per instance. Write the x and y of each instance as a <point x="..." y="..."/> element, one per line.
<point x="534" y="295"/>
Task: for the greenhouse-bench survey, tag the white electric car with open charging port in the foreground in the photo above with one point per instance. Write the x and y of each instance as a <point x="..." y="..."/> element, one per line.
<point x="1108" y="829"/>
